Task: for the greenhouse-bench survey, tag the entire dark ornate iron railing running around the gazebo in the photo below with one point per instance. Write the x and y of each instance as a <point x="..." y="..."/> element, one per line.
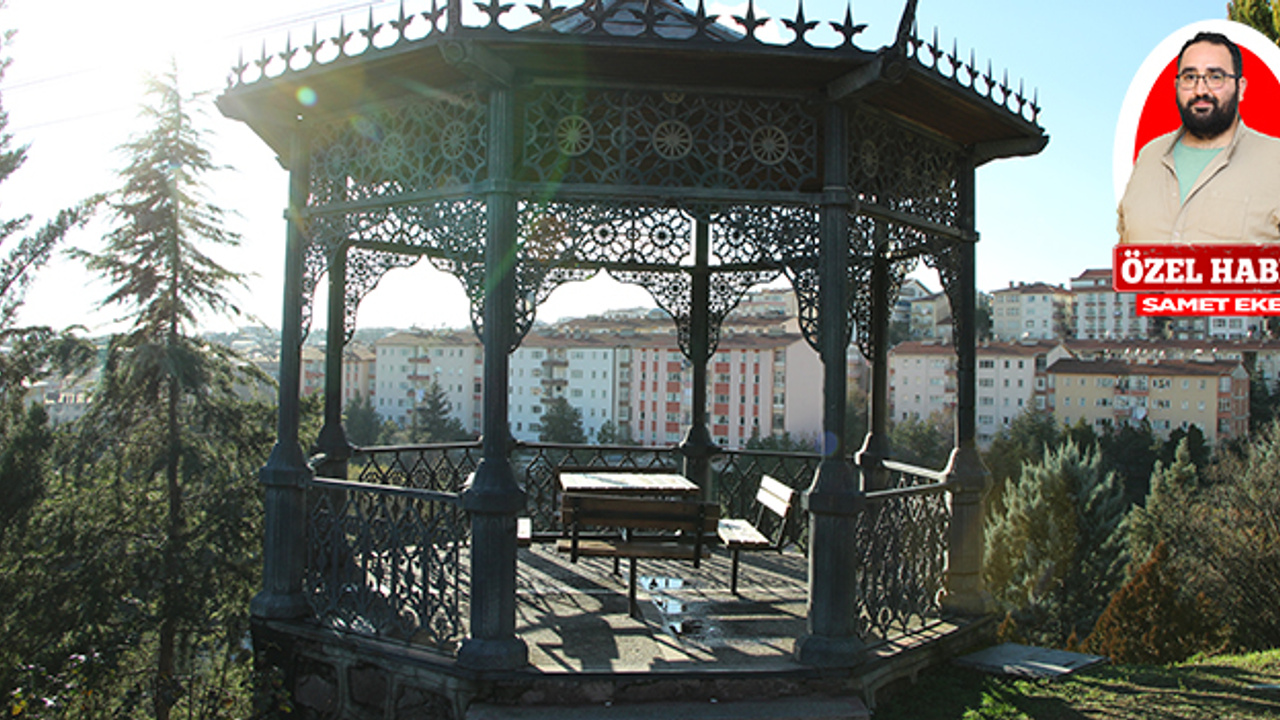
<point x="387" y="549"/>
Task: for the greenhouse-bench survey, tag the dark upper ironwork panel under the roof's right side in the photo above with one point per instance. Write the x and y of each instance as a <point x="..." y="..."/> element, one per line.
<point x="903" y="170"/>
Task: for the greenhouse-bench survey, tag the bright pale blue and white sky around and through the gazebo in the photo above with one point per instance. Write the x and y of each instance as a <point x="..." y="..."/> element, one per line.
<point x="77" y="72"/>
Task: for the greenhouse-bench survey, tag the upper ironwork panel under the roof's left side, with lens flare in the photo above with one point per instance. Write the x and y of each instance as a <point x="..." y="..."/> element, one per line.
<point x="390" y="151"/>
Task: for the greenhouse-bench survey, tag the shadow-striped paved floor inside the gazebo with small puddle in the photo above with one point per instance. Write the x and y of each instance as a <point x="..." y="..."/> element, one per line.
<point x="574" y="617"/>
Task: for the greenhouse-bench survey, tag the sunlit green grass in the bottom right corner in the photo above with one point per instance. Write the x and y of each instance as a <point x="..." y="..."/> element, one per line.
<point x="1209" y="689"/>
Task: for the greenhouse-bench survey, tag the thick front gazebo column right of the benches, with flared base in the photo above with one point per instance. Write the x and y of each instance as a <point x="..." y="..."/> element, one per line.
<point x="835" y="500"/>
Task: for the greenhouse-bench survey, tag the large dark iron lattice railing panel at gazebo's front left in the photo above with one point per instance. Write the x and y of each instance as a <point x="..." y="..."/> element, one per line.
<point x="388" y="564"/>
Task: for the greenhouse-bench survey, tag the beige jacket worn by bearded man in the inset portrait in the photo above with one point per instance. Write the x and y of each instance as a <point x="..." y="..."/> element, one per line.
<point x="1237" y="199"/>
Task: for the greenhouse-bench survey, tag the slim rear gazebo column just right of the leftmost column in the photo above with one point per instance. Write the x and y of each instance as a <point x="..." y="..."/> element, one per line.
<point x="333" y="438"/>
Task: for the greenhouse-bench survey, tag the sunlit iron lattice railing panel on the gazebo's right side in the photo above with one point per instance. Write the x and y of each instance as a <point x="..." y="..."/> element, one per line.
<point x="902" y="545"/>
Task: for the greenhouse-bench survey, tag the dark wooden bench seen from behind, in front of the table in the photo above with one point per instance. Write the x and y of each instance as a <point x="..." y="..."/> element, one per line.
<point x="657" y="528"/>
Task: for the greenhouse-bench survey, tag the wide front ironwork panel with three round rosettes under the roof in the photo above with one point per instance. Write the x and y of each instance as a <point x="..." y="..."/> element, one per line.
<point x="669" y="140"/>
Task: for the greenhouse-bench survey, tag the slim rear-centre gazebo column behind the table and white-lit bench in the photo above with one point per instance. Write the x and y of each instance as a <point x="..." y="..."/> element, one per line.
<point x="698" y="446"/>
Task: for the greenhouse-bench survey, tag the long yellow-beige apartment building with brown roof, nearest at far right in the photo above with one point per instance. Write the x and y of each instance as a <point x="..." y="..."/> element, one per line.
<point x="1168" y="394"/>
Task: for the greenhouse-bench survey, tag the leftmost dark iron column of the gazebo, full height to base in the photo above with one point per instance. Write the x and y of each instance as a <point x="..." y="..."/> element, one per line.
<point x="286" y="475"/>
